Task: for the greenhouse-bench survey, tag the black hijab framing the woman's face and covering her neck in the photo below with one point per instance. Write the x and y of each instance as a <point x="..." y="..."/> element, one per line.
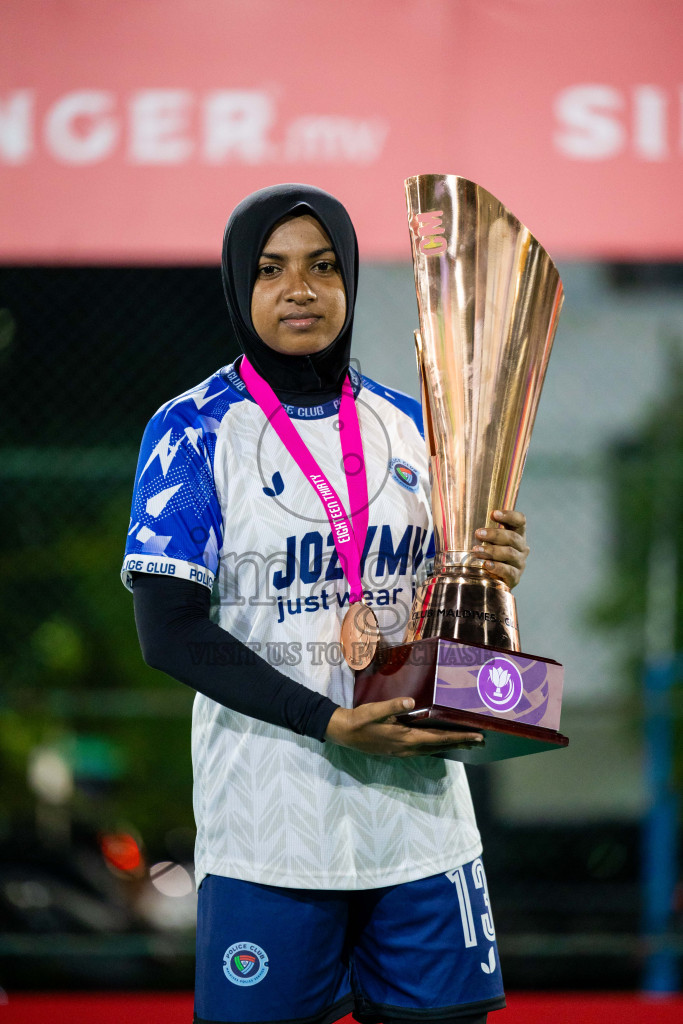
<point x="303" y="380"/>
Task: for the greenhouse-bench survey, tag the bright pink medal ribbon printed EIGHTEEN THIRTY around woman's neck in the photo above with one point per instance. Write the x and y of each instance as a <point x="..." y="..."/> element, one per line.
<point x="349" y="533"/>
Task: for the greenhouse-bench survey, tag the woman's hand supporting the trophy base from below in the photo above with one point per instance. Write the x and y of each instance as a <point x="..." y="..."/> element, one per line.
<point x="373" y="729"/>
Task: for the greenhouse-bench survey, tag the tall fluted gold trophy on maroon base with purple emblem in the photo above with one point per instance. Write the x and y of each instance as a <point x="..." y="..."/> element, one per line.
<point x="489" y="303"/>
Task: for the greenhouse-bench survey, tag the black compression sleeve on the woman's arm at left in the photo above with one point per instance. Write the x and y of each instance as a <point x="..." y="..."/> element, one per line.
<point x="178" y="636"/>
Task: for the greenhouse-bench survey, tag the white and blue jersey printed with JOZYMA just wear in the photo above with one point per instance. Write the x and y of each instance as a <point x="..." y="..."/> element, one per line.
<point x="220" y="501"/>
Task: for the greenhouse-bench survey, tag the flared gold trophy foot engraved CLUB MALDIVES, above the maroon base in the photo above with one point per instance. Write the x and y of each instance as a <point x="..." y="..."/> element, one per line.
<point x="465" y="604"/>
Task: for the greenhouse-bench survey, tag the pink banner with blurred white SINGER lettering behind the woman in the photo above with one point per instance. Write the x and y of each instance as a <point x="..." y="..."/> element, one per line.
<point x="130" y="131"/>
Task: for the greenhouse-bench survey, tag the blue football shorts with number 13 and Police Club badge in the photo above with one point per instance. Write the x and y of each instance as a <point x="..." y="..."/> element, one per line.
<point x="422" y="951"/>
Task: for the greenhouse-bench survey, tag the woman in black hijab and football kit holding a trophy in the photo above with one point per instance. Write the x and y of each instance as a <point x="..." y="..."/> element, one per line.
<point x="339" y="864"/>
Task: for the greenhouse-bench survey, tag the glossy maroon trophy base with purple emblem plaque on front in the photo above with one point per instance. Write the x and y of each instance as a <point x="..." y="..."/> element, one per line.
<point x="514" y="699"/>
